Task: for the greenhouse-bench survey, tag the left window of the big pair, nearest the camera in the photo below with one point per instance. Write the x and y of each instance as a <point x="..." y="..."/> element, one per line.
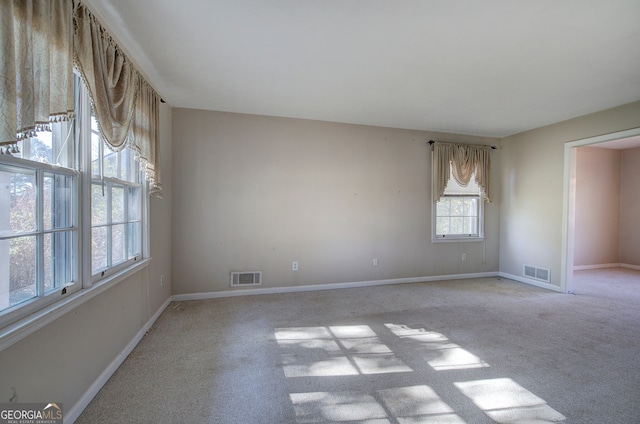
<point x="38" y="220"/>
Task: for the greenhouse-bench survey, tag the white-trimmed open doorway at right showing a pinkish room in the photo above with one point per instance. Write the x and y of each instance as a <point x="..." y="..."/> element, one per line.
<point x="601" y="203"/>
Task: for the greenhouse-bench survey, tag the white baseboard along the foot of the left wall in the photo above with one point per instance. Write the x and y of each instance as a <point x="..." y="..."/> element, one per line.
<point x="73" y="414"/>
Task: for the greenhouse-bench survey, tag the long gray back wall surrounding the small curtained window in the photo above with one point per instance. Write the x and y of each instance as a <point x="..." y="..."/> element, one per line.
<point x="255" y="193"/>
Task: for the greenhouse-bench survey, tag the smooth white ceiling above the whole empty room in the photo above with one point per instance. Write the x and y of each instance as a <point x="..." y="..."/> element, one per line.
<point x="492" y="67"/>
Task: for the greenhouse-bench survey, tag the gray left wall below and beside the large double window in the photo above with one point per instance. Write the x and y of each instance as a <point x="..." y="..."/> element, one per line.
<point x="59" y="362"/>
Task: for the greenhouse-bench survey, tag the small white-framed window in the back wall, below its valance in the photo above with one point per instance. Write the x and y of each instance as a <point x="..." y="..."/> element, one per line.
<point x="458" y="214"/>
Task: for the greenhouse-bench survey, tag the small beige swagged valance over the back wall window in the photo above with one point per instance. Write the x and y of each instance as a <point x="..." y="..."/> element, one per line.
<point x="462" y="161"/>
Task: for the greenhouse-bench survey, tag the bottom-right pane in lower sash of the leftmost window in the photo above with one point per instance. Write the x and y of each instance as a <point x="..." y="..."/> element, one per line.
<point x="58" y="265"/>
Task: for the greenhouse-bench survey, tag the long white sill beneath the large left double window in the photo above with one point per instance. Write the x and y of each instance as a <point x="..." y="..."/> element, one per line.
<point x="26" y="326"/>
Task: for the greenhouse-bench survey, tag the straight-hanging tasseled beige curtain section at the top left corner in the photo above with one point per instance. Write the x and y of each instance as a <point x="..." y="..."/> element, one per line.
<point x="36" y="67"/>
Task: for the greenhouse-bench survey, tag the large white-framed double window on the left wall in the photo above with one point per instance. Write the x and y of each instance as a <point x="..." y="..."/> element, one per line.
<point x="71" y="213"/>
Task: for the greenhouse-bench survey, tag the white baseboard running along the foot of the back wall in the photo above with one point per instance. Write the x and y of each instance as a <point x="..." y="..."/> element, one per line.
<point x="333" y="286"/>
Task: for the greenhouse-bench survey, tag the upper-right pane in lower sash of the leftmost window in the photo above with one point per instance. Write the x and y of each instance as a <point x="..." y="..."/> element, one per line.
<point x="57" y="201"/>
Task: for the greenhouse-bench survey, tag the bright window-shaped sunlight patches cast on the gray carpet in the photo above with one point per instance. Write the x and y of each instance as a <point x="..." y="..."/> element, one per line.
<point x="353" y="350"/>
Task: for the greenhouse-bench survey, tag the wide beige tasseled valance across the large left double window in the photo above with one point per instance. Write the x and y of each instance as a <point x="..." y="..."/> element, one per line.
<point x="40" y="41"/>
